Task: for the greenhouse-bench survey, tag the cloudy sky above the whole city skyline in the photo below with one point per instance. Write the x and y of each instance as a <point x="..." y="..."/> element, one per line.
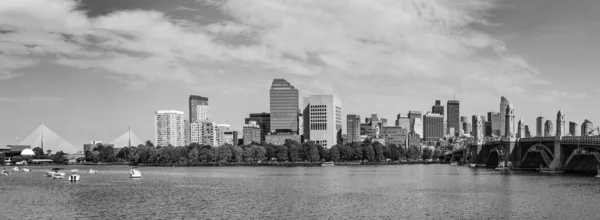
<point x="90" y="68"/>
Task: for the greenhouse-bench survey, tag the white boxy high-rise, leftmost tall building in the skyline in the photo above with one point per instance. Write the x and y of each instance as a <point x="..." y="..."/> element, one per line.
<point x="169" y="128"/>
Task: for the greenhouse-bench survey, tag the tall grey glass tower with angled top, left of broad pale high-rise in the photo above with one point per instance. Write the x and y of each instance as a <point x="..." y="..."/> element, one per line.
<point x="284" y="106"/>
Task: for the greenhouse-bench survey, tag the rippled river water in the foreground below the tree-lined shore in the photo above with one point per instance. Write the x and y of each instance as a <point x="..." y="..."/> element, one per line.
<point x="342" y="192"/>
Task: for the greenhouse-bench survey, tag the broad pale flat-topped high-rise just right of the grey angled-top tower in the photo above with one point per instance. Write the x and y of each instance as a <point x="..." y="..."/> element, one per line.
<point x="325" y="119"/>
